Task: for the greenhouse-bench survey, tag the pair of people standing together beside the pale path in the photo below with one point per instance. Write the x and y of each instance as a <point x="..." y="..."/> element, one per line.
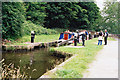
<point x="101" y="35"/>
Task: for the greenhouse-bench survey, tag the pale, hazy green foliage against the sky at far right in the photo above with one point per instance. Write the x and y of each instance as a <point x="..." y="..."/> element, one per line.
<point x="110" y="18"/>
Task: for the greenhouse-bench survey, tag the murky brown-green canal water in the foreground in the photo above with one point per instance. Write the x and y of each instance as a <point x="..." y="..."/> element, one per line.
<point x="33" y="63"/>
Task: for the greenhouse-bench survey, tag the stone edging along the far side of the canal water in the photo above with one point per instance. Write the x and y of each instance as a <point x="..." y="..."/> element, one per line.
<point x="32" y="46"/>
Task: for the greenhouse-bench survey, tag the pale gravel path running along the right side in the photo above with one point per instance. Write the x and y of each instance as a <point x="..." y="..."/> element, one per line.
<point x="106" y="63"/>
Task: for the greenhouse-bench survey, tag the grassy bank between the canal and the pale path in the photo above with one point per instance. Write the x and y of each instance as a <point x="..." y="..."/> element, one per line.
<point x="76" y="67"/>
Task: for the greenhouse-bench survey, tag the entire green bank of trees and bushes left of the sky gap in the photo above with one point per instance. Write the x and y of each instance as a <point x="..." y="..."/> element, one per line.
<point x="20" y="18"/>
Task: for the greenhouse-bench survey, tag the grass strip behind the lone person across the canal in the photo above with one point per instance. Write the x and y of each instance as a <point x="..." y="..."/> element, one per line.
<point x="38" y="38"/>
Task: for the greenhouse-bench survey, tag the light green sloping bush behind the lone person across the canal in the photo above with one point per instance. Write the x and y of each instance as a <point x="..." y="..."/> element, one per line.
<point x="28" y="26"/>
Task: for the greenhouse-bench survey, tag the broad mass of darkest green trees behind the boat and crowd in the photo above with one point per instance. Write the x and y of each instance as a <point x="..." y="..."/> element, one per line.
<point x="71" y="15"/>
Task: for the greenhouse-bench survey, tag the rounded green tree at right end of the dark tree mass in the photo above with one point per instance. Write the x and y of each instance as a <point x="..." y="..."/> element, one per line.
<point x="88" y="15"/>
